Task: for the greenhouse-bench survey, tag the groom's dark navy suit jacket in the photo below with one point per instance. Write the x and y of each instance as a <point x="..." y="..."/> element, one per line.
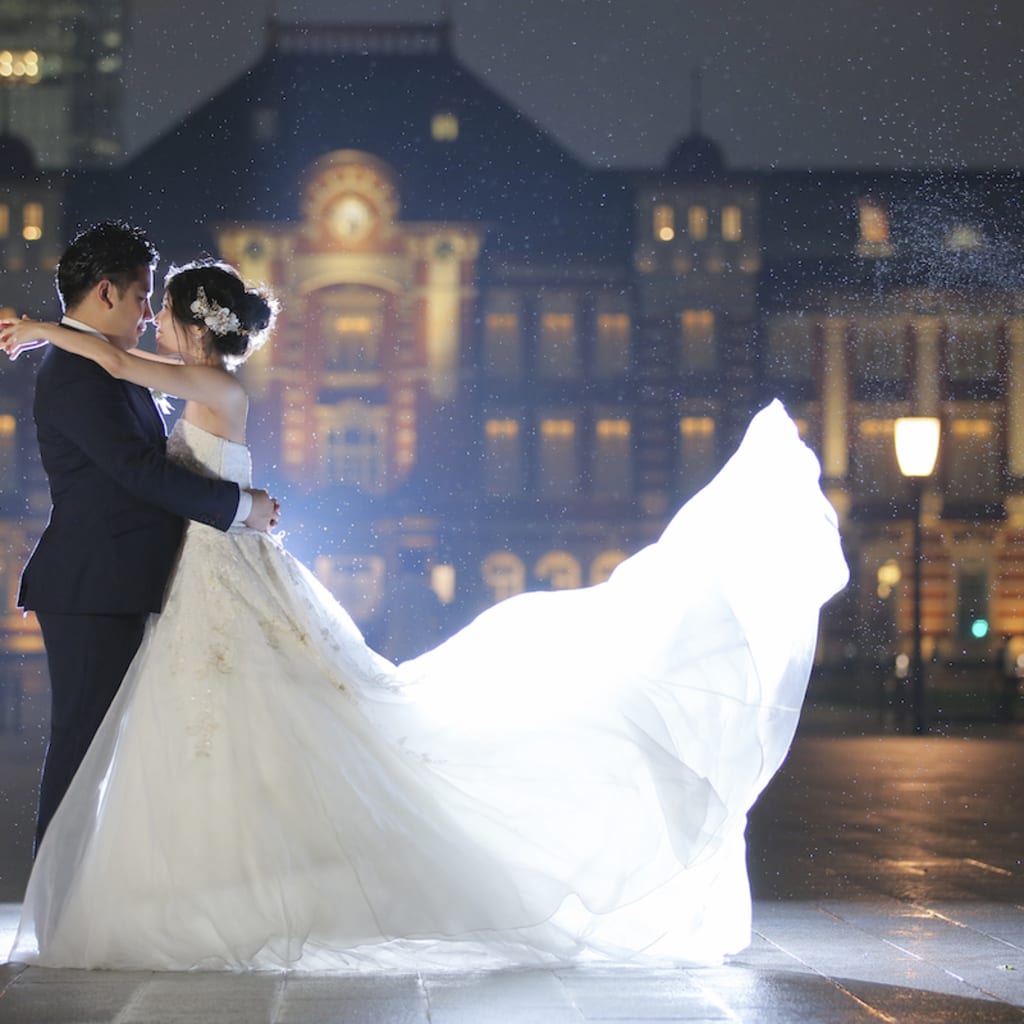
<point x="118" y="503"/>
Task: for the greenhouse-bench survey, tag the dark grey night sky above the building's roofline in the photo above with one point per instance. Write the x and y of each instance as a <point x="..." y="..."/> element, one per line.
<point x="787" y="83"/>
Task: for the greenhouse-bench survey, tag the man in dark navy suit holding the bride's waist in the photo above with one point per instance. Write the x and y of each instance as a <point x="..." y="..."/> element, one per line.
<point x="119" y="506"/>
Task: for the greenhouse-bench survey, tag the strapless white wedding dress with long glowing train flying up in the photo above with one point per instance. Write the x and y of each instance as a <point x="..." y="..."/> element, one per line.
<point x="567" y="779"/>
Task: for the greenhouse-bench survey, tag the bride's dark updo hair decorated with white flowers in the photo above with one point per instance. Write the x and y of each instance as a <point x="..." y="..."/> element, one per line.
<point x="211" y="294"/>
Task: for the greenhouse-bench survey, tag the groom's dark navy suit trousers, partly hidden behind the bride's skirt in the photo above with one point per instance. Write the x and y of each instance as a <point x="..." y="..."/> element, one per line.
<point x="89" y="657"/>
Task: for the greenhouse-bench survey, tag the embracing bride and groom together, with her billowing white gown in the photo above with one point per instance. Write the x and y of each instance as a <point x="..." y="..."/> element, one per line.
<point x="250" y="787"/>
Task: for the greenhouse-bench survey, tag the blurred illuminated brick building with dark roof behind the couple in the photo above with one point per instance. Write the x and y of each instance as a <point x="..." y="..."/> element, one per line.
<point x="498" y="369"/>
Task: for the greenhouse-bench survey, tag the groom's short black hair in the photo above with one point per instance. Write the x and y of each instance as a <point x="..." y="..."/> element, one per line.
<point x="111" y="251"/>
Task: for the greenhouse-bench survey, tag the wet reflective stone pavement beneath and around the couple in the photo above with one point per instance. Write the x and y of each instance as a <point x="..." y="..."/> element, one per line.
<point x="889" y="887"/>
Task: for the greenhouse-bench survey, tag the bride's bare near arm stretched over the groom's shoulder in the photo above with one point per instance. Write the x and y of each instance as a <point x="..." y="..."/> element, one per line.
<point x="209" y="386"/>
